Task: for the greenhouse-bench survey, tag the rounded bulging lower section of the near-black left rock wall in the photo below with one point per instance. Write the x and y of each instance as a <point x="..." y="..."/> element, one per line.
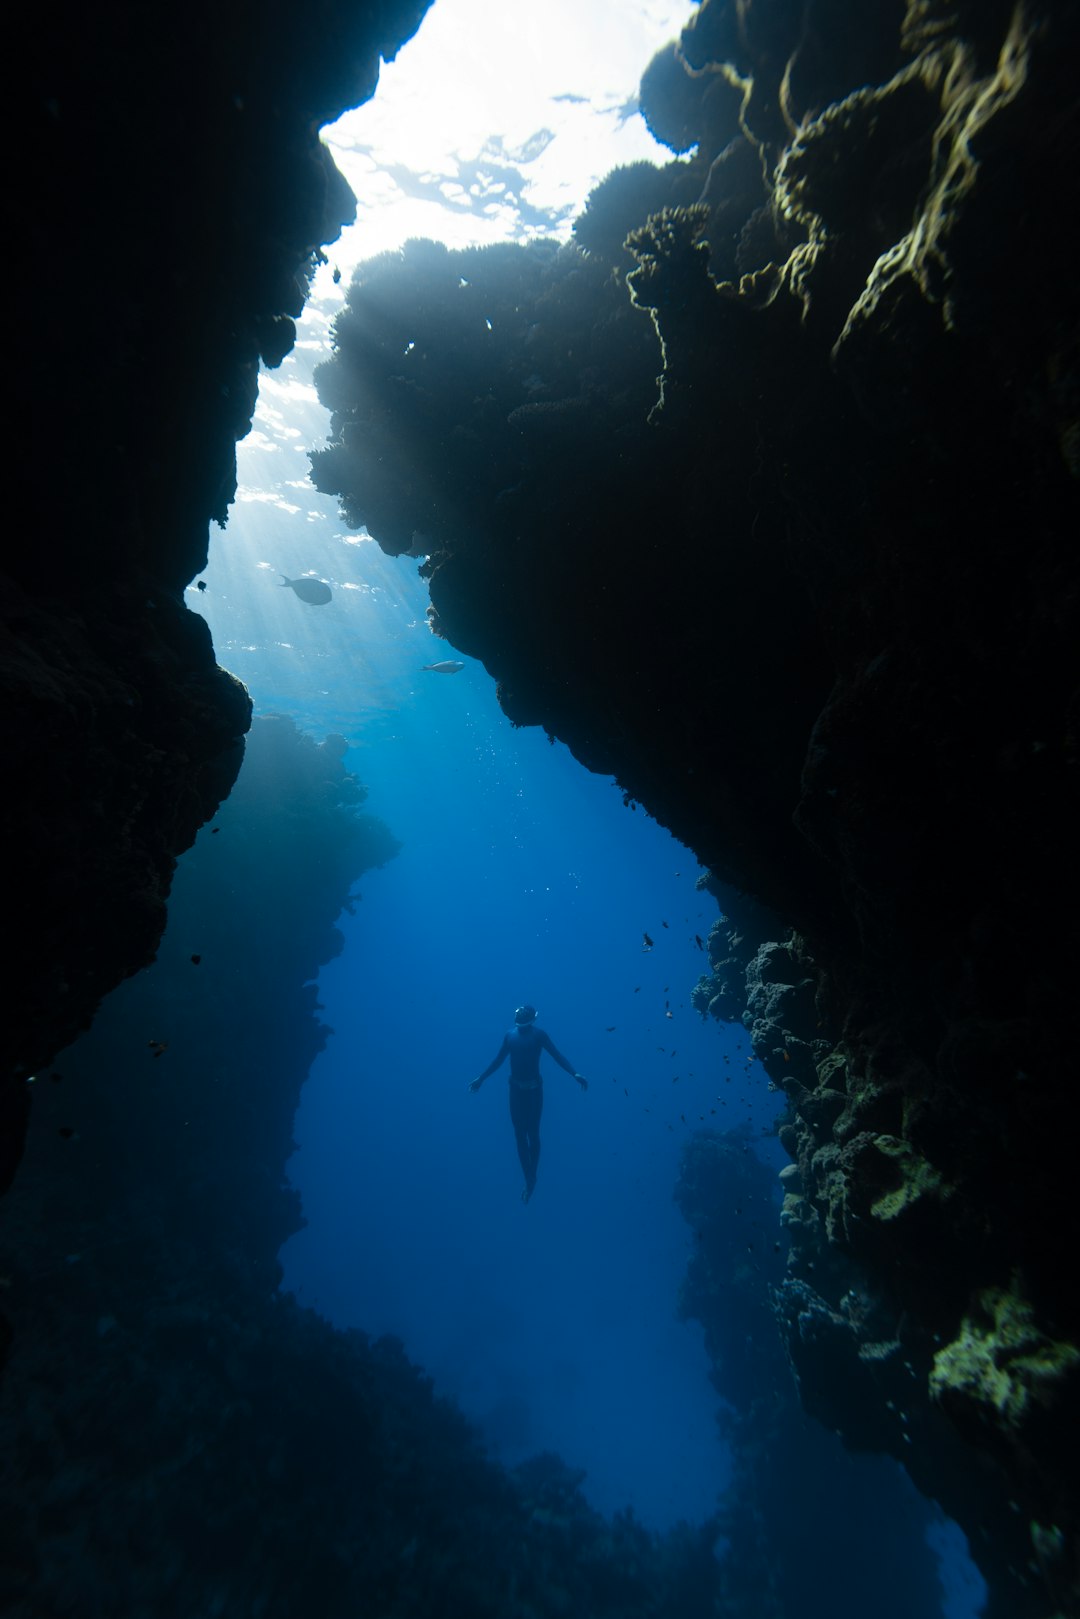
<point x="127" y="737"/>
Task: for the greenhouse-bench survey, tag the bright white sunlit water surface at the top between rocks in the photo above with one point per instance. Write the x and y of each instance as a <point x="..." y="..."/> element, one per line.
<point x="498" y="119"/>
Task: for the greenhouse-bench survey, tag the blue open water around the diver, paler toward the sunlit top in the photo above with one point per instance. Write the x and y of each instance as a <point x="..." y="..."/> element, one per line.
<point x="521" y="878"/>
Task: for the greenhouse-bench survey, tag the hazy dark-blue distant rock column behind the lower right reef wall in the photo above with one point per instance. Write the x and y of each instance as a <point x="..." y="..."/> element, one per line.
<point x="791" y="1549"/>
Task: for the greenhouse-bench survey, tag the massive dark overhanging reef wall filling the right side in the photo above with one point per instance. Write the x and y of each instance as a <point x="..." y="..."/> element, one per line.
<point x="815" y="608"/>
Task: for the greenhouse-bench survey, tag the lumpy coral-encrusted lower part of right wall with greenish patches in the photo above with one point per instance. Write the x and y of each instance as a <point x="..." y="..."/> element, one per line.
<point x="890" y="1353"/>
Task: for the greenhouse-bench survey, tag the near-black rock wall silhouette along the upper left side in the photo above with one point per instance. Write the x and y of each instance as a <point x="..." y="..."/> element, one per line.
<point x="172" y="195"/>
